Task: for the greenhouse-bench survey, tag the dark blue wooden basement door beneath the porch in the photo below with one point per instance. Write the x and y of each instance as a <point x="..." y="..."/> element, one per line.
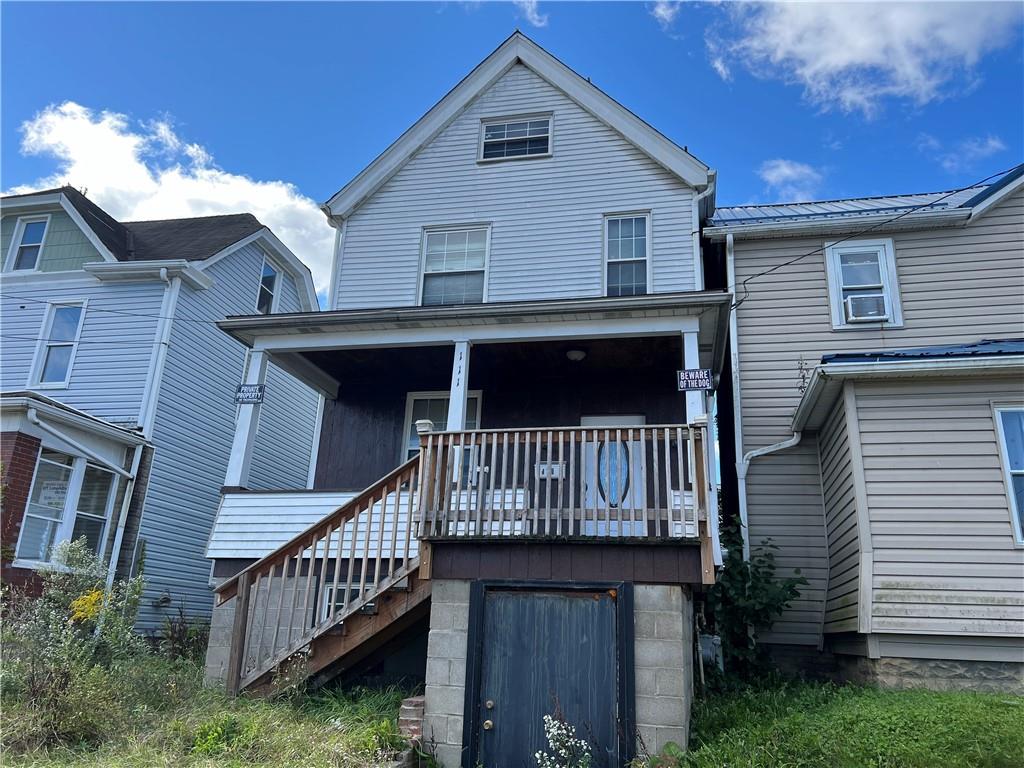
<point x="545" y="652"/>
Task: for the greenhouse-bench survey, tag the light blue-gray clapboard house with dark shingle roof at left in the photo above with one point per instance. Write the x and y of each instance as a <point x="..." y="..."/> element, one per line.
<point x="118" y="388"/>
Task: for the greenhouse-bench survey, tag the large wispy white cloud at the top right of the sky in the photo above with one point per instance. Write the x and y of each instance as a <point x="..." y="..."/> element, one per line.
<point x="856" y="56"/>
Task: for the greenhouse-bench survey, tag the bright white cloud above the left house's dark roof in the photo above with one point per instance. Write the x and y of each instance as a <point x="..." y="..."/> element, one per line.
<point x="147" y="172"/>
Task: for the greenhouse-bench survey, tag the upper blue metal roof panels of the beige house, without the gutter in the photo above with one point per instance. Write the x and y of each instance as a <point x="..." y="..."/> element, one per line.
<point x="857" y="207"/>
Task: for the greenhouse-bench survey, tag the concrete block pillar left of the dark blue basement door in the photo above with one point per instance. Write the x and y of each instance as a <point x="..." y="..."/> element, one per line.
<point x="446" y="689"/>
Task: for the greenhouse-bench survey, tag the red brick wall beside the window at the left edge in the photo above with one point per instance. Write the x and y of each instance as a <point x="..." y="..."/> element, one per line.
<point x="19" y="453"/>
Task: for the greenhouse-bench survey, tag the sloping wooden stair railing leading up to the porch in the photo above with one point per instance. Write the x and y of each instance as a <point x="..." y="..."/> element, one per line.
<point x="328" y="573"/>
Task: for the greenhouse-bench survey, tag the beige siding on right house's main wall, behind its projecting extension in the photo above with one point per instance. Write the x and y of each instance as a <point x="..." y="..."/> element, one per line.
<point x="957" y="286"/>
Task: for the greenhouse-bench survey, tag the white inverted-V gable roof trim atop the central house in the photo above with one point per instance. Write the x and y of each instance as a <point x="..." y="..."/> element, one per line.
<point x="517" y="50"/>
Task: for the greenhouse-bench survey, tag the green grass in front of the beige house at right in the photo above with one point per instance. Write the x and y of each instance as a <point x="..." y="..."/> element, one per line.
<point x="828" y="727"/>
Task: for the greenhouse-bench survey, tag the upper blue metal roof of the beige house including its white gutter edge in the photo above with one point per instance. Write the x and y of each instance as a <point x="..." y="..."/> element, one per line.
<point x="959" y="205"/>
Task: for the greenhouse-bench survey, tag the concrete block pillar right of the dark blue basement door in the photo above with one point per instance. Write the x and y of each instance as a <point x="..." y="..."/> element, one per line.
<point x="663" y="665"/>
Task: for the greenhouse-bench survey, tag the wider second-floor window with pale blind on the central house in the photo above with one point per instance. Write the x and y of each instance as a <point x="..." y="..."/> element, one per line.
<point x="454" y="265"/>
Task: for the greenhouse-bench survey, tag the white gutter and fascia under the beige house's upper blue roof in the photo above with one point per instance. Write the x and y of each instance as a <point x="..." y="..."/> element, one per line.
<point x="770" y="230"/>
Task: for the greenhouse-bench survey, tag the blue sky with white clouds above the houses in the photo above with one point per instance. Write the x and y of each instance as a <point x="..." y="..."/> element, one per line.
<point x="165" y="110"/>
